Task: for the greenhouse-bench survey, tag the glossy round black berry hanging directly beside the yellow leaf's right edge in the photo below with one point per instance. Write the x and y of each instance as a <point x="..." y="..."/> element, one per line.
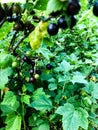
<point x="52" y="29"/>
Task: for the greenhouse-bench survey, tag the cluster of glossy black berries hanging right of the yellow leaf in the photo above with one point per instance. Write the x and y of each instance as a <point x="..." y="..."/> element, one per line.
<point x="72" y="9"/>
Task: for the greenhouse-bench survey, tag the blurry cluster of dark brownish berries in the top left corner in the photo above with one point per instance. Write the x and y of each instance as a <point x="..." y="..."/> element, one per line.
<point x="14" y="14"/>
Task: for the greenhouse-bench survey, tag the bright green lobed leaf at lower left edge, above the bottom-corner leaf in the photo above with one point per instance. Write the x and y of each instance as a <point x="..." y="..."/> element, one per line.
<point x="9" y="103"/>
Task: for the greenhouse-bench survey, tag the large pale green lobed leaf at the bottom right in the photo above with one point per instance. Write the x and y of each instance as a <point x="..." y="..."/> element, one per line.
<point x="73" y="118"/>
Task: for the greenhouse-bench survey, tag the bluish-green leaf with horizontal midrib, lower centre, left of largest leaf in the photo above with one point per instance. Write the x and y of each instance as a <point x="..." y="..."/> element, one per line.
<point x="42" y="103"/>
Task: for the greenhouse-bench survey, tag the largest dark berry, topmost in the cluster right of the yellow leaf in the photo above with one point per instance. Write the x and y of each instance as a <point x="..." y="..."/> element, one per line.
<point x="73" y="7"/>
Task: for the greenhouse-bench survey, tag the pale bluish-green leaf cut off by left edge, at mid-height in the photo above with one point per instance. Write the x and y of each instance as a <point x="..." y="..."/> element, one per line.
<point x="4" y="73"/>
